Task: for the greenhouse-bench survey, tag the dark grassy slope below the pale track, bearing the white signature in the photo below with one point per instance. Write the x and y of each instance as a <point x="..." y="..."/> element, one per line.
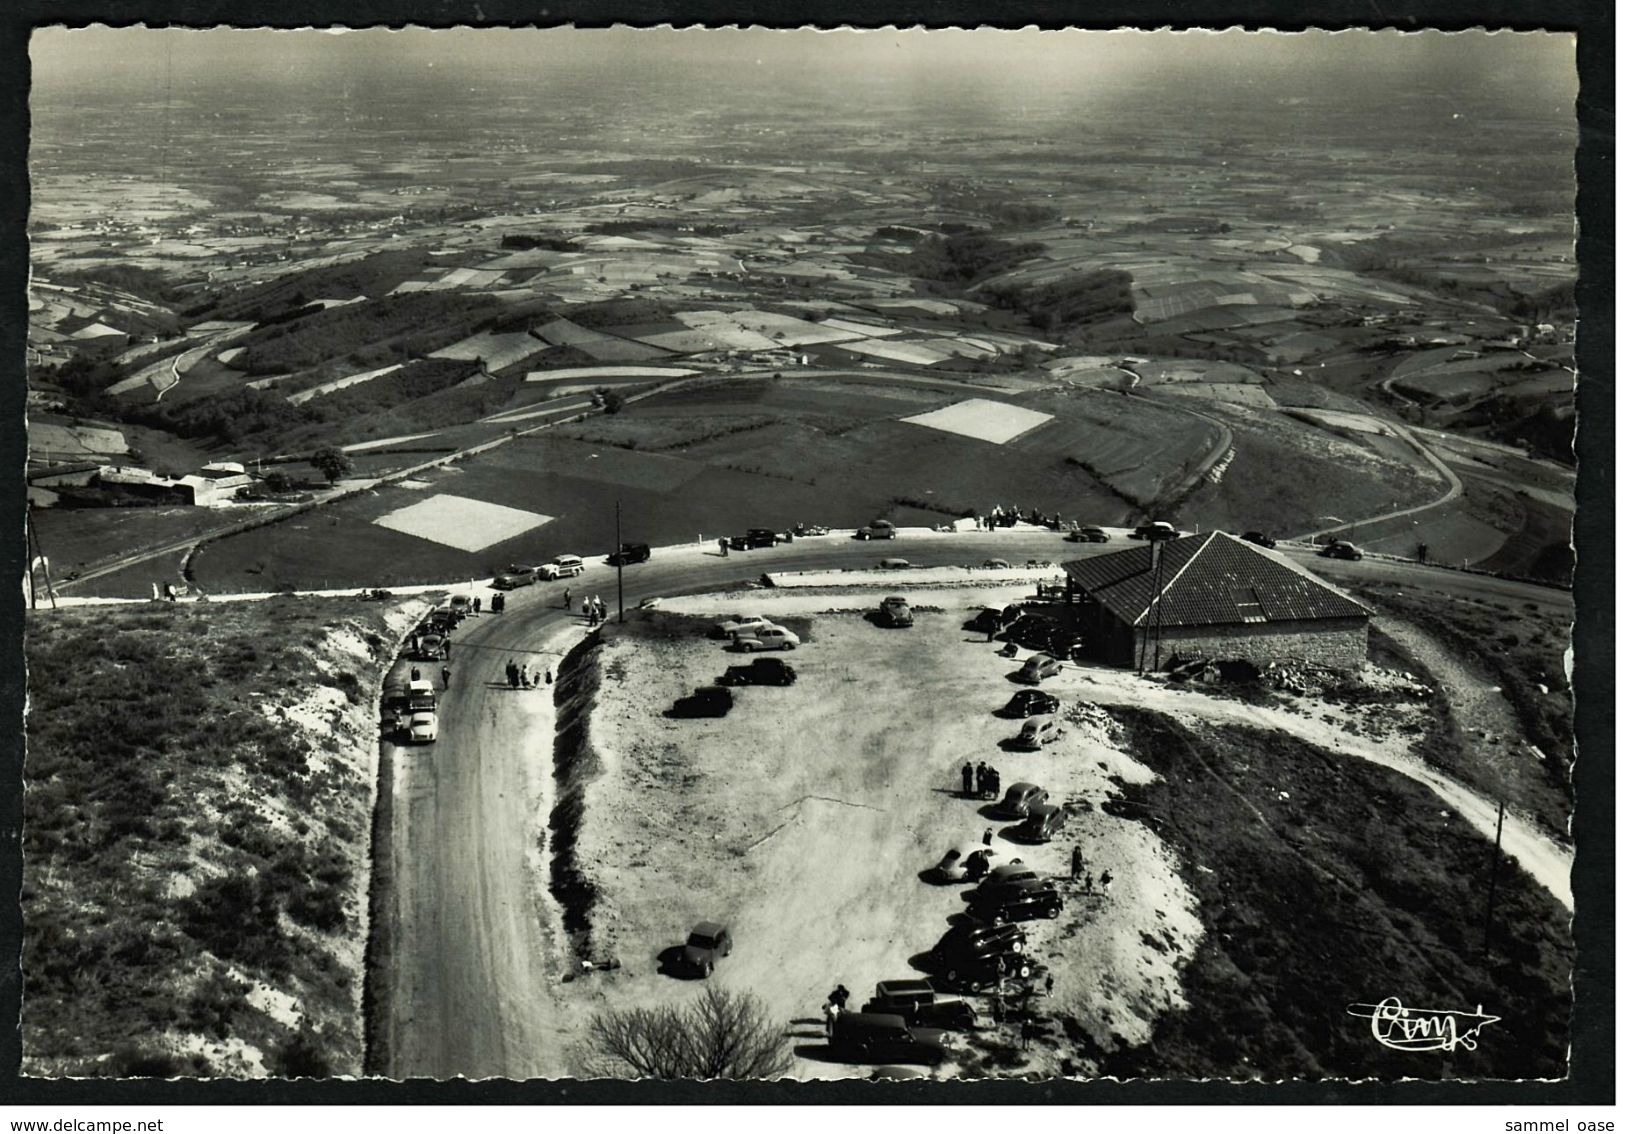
<point x="1325" y="881"/>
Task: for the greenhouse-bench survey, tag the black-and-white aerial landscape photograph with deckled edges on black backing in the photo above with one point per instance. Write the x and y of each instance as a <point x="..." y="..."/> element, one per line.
<point x="800" y="555"/>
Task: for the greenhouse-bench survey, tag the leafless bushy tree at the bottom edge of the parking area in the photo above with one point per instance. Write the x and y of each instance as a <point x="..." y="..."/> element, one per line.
<point x="719" y="1034"/>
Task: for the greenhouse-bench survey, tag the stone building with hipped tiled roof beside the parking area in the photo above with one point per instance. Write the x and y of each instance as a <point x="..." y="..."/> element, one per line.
<point x="1211" y="597"/>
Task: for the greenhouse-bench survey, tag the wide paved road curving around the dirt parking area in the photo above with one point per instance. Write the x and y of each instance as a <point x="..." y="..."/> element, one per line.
<point x="475" y="943"/>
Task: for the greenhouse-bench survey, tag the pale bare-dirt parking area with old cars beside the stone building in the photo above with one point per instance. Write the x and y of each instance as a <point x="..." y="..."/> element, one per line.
<point x="808" y="815"/>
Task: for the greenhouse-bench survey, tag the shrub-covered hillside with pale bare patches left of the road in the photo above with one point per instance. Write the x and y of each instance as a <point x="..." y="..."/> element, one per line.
<point x="197" y="803"/>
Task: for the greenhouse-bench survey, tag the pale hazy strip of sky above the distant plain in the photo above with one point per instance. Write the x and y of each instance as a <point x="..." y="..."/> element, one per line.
<point x="1545" y="64"/>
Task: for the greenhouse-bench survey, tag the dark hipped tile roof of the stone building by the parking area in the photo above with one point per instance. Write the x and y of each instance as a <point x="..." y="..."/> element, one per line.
<point x="1210" y="581"/>
